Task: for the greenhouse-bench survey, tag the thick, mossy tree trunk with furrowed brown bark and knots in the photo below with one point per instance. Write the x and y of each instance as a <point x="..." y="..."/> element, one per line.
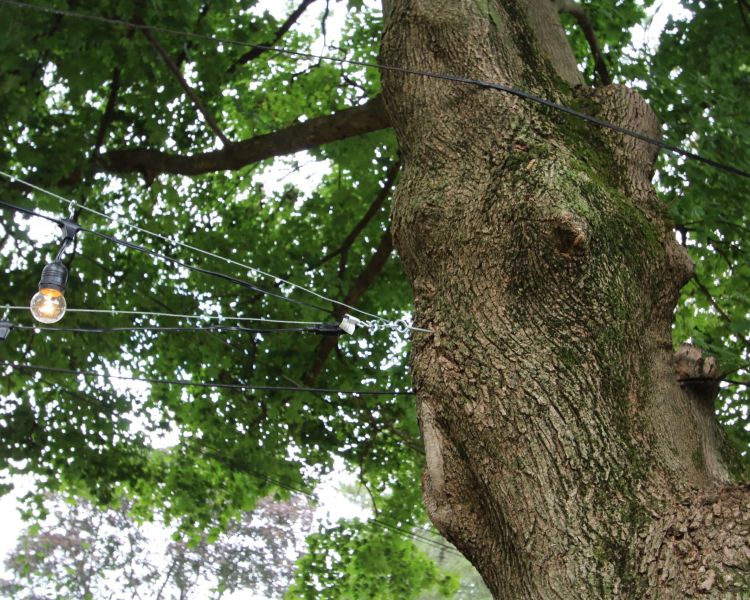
<point x="564" y="459"/>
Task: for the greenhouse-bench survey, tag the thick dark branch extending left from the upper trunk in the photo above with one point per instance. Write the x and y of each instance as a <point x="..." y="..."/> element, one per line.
<point x="300" y="136"/>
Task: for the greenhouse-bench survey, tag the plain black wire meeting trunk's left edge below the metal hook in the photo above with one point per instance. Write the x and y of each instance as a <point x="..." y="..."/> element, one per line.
<point x="204" y="384"/>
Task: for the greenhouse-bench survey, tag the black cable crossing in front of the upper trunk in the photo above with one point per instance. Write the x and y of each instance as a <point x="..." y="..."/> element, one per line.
<point x="391" y="68"/>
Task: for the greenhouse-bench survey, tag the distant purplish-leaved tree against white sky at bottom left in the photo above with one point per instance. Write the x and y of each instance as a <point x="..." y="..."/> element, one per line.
<point x="83" y="552"/>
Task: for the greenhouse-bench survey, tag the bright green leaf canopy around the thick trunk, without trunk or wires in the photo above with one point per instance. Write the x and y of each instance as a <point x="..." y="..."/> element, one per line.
<point x="73" y="91"/>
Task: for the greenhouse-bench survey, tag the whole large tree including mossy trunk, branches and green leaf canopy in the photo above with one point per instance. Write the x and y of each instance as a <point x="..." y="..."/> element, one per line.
<point x="564" y="457"/>
